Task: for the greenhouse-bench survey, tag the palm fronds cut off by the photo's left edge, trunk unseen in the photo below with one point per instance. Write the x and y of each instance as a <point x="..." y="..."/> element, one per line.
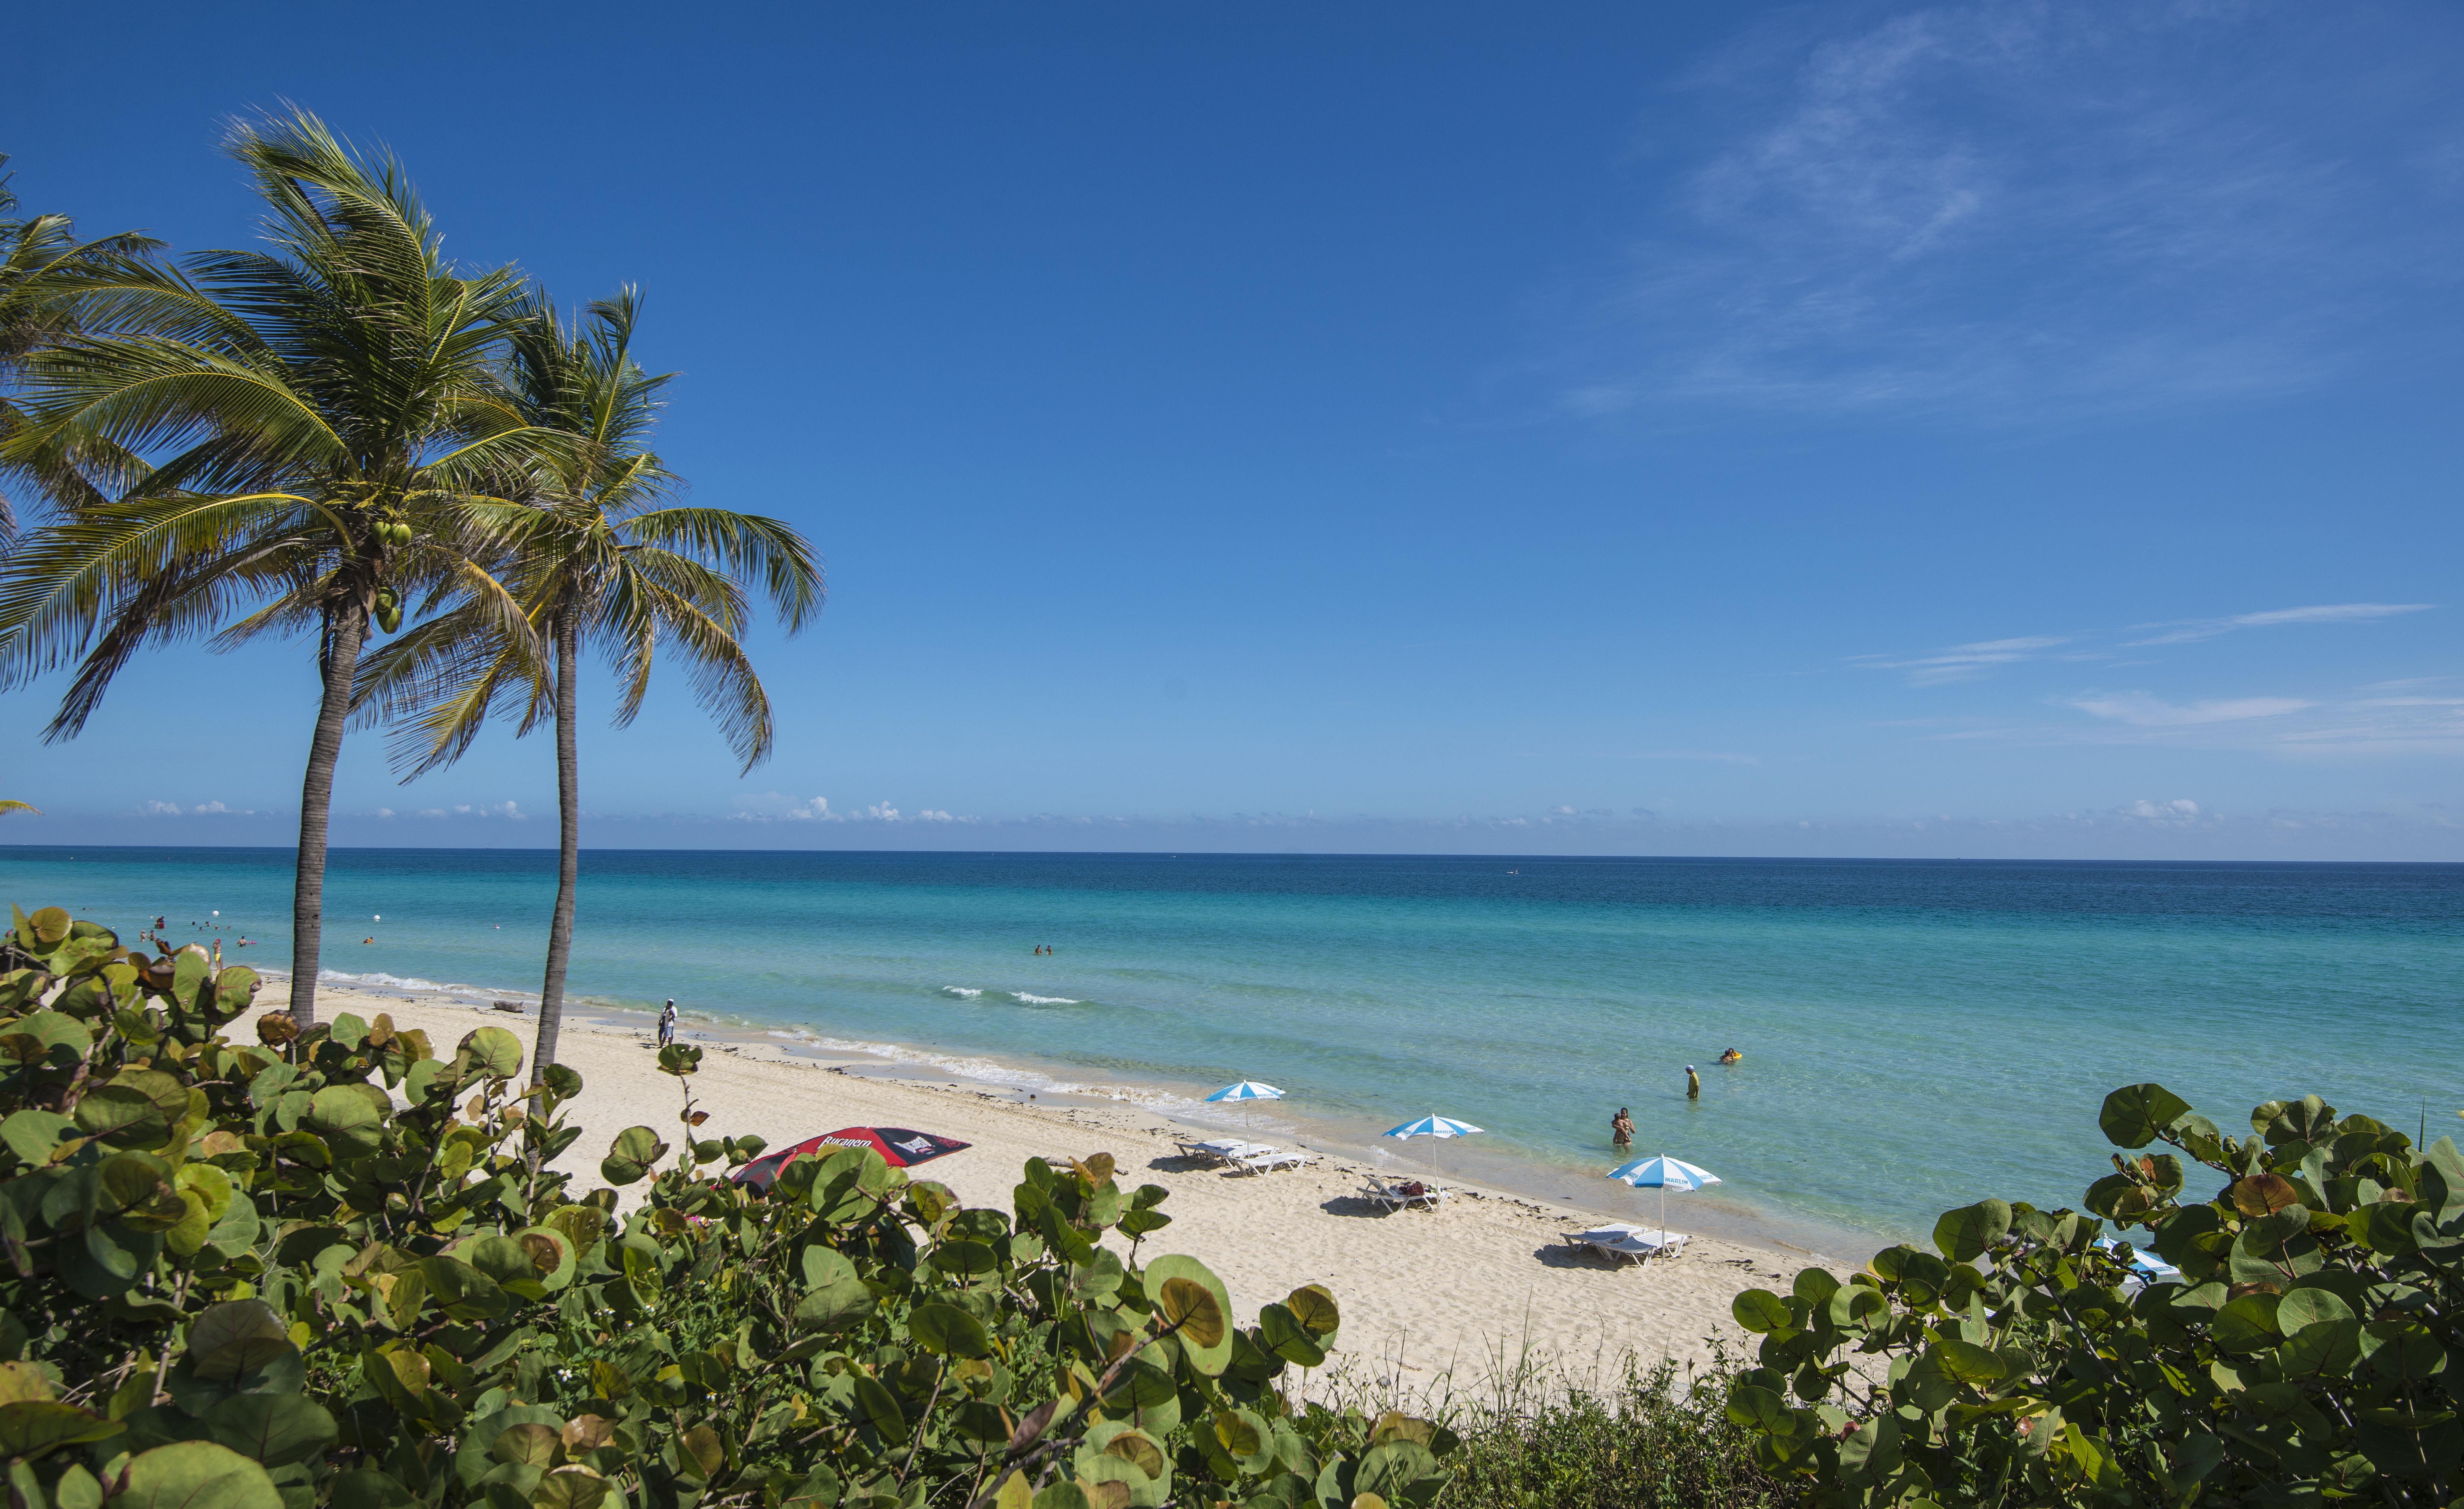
<point x="51" y="290"/>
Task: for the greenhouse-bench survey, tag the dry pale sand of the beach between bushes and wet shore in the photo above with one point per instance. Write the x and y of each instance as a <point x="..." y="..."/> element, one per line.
<point x="1425" y="1293"/>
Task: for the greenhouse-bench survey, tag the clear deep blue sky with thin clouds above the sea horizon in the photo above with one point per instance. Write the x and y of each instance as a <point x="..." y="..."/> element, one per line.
<point x="1997" y="430"/>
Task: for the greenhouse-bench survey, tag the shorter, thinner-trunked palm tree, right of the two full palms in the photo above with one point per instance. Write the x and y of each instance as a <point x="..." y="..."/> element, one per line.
<point x="593" y="549"/>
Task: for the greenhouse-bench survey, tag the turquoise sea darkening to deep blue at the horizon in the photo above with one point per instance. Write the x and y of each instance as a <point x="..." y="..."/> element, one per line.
<point x="1916" y="1032"/>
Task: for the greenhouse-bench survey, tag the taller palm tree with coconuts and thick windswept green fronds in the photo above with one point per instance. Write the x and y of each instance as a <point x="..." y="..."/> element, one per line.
<point x="319" y="423"/>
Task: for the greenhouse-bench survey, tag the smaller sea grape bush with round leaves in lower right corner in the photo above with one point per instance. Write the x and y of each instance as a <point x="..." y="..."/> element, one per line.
<point x="2305" y="1355"/>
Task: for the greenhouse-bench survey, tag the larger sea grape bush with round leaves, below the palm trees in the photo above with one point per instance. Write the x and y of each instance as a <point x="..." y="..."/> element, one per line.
<point x="339" y="1269"/>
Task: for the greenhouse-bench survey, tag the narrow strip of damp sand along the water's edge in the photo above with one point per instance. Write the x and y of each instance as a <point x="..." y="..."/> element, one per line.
<point x="1507" y="1175"/>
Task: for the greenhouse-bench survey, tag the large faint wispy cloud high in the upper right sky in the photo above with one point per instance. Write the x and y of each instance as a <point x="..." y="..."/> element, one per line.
<point x="2027" y="211"/>
